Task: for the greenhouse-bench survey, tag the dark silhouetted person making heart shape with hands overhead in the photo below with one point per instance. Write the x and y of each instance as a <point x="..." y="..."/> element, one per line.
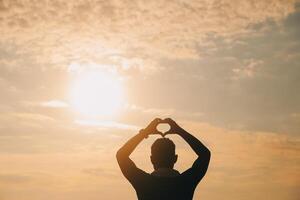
<point x="164" y="183"/>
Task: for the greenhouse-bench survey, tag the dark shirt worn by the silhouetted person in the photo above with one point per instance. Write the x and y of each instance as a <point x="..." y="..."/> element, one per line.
<point x="153" y="187"/>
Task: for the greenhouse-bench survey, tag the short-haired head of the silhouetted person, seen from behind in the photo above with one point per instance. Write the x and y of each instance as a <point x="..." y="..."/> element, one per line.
<point x="163" y="153"/>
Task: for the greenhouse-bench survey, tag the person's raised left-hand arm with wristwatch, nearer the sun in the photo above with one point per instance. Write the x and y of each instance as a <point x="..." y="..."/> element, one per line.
<point x="127" y="166"/>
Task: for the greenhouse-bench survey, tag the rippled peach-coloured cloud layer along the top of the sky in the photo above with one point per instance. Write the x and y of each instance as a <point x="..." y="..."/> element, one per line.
<point x="59" y="31"/>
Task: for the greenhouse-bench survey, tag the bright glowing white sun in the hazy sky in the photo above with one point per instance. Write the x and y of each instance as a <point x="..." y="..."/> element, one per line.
<point x="97" y="93"/>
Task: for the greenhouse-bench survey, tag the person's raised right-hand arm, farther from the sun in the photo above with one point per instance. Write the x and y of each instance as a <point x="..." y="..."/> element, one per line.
<point x="199" y="168"/>
